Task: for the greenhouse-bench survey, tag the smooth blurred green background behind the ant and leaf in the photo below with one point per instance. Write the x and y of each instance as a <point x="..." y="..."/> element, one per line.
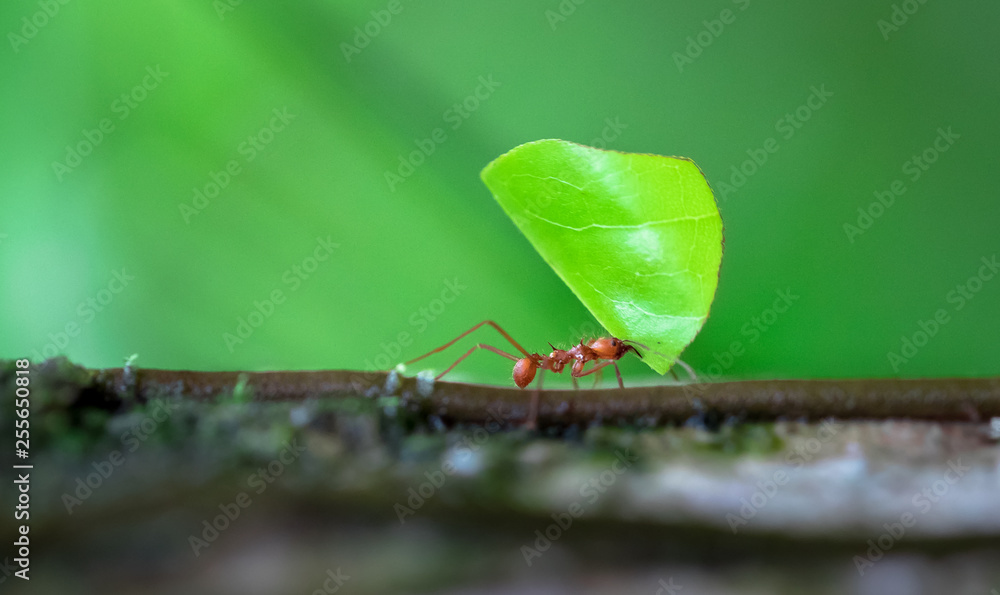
<point x="597" y="72"/>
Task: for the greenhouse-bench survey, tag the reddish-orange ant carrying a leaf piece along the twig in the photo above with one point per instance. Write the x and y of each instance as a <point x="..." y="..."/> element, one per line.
<point x="607" y="350"/>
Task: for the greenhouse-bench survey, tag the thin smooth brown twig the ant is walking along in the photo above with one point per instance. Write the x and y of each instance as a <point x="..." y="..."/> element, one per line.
<point x="952" y="399"/>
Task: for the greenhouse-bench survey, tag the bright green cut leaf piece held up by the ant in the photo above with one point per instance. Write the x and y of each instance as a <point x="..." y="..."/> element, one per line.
<point x="638" y="238"/>
